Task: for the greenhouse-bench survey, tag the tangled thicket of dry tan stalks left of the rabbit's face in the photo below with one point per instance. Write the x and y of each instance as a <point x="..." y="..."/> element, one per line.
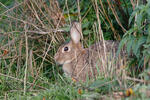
<point x="32" y="32"/>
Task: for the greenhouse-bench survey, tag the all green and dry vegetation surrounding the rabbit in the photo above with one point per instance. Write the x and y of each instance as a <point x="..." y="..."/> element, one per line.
<point x="32" y="30"/>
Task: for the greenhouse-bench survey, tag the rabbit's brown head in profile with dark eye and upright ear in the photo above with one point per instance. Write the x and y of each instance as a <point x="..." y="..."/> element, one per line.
<point x="69" y="51"/>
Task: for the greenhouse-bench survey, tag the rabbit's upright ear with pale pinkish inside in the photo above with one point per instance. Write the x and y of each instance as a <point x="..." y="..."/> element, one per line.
<point x="75" y="32"/>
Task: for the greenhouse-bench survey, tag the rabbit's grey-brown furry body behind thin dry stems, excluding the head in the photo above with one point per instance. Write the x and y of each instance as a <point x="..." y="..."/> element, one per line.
<point x="94" y="59"/>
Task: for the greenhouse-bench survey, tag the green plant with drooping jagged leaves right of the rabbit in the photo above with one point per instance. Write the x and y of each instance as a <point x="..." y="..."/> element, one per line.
<point x="137" y="39"/>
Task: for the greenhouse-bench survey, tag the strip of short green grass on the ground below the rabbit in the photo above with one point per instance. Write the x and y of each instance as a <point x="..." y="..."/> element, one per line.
<point x="65" y="89"/>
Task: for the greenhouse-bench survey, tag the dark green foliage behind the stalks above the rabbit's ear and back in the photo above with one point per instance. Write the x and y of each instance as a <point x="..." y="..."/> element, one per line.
<point x="89" y="20"/>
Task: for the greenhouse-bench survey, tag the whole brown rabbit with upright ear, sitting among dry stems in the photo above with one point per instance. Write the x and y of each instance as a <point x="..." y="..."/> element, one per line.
<point x="84" y="63"/>
